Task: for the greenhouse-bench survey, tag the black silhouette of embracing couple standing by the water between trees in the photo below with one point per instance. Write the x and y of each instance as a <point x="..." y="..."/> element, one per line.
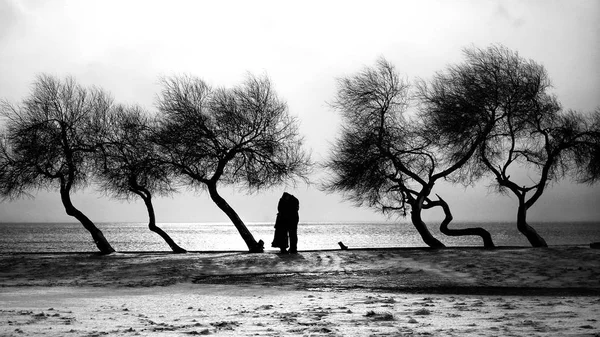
<point x="287" y="224"/>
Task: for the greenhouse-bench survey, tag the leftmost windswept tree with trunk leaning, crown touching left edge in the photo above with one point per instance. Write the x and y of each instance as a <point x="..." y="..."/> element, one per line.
<point x="49" y="143"/>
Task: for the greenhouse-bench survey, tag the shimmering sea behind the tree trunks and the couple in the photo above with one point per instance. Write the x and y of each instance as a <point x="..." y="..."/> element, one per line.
<point x="204" y="237"/>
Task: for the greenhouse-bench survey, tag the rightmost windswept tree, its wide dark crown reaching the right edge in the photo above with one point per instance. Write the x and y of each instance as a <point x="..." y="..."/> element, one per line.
<point x="530" y="132"/>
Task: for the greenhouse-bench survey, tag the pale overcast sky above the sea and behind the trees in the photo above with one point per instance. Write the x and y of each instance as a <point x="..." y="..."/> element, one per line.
<point x="124" y="46"/>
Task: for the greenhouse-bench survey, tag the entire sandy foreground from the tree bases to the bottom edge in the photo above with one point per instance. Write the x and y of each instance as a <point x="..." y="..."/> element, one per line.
<point x="381" y="292"/>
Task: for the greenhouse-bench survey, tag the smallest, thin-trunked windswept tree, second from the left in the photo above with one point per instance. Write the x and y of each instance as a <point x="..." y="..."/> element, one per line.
<point x="128" y="164"/>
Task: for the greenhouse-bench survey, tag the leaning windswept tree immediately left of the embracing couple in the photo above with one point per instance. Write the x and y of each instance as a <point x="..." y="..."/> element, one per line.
<point x="242" y="136"/>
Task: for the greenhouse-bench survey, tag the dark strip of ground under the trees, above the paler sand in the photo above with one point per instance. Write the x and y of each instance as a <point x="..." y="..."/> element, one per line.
<point x="511" y="270"/>
